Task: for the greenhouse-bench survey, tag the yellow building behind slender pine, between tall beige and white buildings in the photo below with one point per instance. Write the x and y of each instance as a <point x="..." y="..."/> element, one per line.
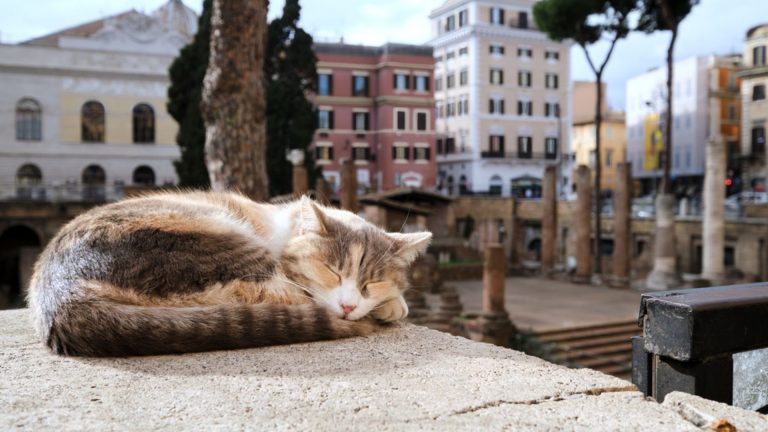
<point x="612" y="143"/>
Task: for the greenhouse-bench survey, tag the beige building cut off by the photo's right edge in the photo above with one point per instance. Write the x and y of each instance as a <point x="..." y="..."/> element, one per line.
<point x="754" y="81"/>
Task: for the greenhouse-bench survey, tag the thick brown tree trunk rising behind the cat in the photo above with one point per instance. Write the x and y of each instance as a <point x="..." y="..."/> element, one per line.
<point x="234" y="100"/>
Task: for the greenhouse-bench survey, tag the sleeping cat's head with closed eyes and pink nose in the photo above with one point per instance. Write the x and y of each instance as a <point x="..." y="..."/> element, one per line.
<point x="349" y="265"/>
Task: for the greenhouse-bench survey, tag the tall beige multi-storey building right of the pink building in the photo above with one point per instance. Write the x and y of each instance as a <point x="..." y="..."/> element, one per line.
<point x="502" y="98"/>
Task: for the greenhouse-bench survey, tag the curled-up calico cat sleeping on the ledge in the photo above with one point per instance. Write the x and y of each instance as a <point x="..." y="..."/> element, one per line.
<point x="199" y="271"/>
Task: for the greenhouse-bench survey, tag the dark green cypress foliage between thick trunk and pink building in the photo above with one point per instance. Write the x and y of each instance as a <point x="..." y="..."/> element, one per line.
<point x="290" y="69"/>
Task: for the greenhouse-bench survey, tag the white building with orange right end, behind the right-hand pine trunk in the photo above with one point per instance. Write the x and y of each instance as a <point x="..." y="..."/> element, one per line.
<point x="705" y="98"/>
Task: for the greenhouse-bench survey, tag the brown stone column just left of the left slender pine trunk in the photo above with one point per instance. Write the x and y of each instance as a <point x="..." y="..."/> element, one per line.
<point x="583" y="221"/>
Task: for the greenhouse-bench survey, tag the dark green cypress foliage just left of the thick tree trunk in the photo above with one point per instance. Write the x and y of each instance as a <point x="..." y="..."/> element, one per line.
<point x="184" y="96"/>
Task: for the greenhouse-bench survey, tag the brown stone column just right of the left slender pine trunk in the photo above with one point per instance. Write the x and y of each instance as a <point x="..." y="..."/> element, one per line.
<point x="622" y="223"/>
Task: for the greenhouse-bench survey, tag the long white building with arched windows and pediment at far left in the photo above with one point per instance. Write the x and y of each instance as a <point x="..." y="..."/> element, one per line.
<point x="87" y="106"/>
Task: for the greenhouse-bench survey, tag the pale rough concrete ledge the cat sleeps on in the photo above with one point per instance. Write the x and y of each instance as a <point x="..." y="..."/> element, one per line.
<point x="406" y="378"/>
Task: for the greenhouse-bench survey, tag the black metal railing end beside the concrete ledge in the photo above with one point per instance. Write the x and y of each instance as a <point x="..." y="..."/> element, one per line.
<point x="710" y="342"/>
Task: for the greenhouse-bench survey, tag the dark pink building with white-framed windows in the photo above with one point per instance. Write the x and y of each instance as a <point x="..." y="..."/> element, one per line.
<point x="376" y="106"/>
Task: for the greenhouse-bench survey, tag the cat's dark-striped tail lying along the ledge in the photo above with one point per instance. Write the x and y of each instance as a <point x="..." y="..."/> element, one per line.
<point x="104" y="328"/>
